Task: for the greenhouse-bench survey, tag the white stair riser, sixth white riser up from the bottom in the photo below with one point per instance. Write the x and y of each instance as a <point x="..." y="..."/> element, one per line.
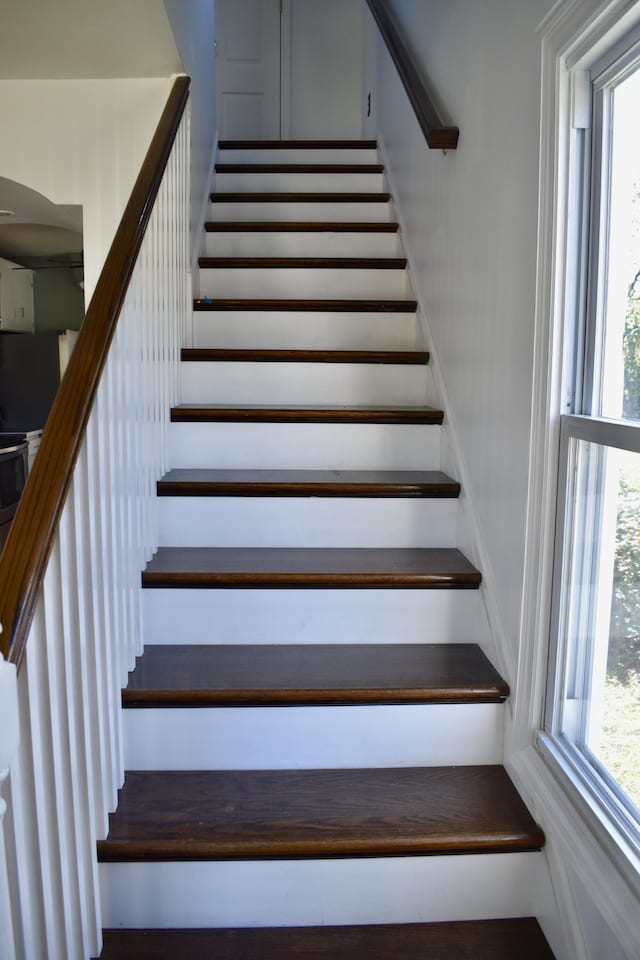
<point x="232" y="381"/>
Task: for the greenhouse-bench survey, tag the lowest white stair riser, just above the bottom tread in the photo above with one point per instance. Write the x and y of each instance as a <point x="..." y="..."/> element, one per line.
<point x="314" y="892"/>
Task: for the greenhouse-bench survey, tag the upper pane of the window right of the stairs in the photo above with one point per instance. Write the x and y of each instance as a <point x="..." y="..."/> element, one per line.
<point x="621" y="348"/>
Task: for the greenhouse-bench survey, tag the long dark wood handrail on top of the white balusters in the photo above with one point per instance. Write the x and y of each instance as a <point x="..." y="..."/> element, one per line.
<point x="24" y="560"/>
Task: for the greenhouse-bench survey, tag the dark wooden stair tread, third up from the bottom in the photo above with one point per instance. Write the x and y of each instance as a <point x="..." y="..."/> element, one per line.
<point x="287" y="674"/>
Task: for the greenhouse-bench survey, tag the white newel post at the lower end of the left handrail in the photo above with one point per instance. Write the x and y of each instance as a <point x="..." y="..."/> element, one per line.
<point x="9" y="738"/>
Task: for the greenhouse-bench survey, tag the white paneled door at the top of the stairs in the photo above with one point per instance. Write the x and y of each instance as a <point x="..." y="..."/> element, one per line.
<point x="248" y="69"/>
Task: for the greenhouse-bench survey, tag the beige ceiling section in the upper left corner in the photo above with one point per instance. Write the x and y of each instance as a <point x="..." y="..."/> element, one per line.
<point x="67" y="39"/>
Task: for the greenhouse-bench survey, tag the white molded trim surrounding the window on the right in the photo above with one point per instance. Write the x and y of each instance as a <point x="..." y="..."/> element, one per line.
<point x="573" y="35"/>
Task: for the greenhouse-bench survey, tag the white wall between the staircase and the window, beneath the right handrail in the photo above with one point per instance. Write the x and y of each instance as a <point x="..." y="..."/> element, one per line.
<point x="470" y="220"/>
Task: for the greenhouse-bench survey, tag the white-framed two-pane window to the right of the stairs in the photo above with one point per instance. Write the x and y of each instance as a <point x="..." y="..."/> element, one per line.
<point x="593" y="701"/>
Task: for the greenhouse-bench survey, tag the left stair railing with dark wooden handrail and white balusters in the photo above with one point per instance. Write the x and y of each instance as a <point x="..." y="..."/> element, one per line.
<point x="70" y="571"/>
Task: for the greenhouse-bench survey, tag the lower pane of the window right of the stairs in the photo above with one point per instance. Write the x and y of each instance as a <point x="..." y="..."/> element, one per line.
<point x="601" y="611"/>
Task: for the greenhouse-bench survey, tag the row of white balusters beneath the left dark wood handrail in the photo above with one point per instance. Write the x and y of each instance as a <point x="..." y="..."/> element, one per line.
<point x="61" y="780"/>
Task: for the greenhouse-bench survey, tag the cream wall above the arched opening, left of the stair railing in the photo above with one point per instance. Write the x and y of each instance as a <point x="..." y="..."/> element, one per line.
<point x="81" y="142"/>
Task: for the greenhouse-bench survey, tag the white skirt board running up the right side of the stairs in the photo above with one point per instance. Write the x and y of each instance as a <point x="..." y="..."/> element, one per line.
<point x="469" y="537"/>
